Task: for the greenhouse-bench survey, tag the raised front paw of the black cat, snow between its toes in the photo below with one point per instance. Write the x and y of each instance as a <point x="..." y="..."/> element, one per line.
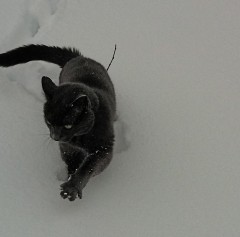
<point x="71" y="190"/>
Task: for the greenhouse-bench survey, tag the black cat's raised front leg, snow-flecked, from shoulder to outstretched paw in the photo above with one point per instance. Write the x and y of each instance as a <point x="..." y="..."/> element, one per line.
<point x="93" y="165"/>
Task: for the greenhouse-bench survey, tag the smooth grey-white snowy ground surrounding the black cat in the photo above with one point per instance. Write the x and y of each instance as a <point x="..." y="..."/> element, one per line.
<point x="176" y="169"/>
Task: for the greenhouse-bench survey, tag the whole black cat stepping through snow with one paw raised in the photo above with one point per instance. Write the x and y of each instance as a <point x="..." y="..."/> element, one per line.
<point x="79" y="112"/>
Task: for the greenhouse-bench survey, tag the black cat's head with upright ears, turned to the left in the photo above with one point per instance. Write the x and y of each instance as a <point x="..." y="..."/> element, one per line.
<point x="67" y="111"/>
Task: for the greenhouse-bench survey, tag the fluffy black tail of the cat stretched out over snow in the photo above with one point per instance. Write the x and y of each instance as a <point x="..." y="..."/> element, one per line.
<point x="27" y="53"/>
